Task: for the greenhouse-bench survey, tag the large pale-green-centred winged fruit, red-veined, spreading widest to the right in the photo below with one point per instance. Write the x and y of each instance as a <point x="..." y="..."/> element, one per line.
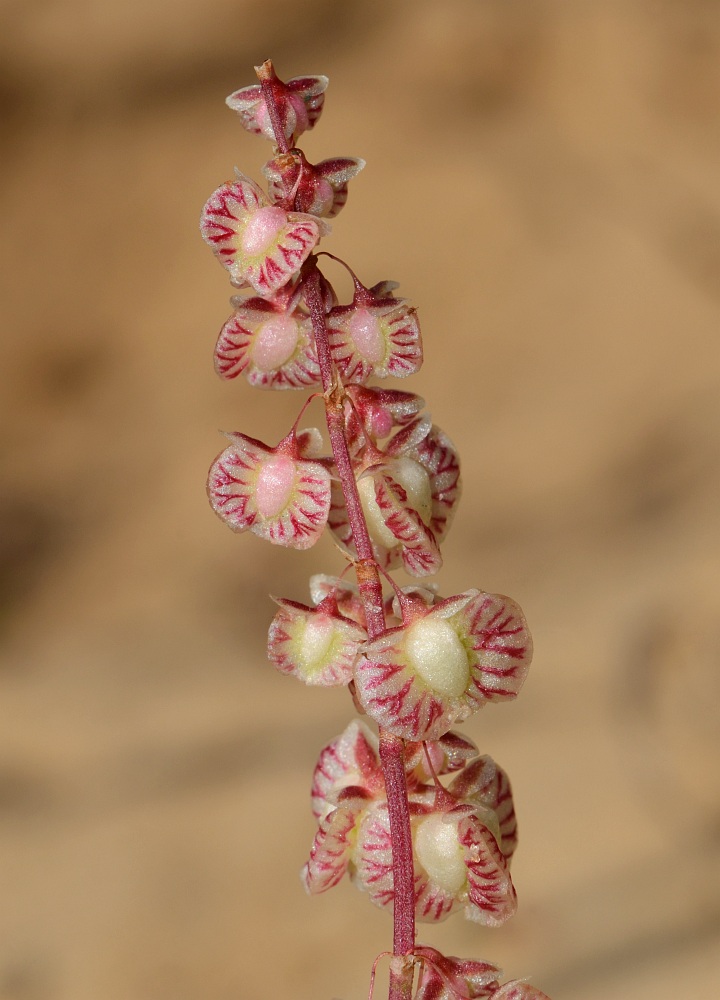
<point x="418" y="681"/>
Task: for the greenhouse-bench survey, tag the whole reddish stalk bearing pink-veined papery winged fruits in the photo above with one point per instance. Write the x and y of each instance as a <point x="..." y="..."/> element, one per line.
<point x="415" y="664"/>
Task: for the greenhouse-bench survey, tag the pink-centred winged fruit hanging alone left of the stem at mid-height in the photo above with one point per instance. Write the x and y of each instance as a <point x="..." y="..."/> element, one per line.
<point x="277" y="493"/>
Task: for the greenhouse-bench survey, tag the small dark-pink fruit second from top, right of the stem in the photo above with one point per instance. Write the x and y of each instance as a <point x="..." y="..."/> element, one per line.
<point x="318" y="188"/>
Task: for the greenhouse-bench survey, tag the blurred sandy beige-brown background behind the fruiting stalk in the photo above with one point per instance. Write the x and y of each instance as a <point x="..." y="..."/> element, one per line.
<point x="543" y="181"/>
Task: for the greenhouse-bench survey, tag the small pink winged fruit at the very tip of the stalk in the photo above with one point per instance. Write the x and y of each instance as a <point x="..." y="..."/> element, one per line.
<point x="299" y="102"/>
